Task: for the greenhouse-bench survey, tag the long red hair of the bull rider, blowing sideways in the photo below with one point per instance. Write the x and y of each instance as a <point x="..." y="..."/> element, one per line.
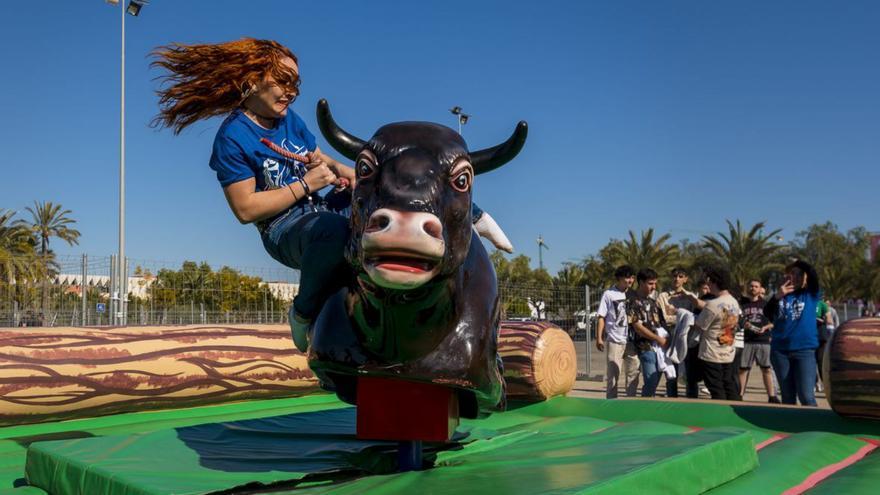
<point x="213" y="79"/>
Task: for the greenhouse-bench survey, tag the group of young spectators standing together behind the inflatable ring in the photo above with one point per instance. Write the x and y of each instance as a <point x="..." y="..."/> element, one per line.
<point x="712" y="337"/>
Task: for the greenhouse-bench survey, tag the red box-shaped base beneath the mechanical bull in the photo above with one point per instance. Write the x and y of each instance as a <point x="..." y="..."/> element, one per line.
<point x="391" y="409"/>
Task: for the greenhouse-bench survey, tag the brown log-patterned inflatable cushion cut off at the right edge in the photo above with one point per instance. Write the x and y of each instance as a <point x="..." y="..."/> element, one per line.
<point x="852" y="369"/>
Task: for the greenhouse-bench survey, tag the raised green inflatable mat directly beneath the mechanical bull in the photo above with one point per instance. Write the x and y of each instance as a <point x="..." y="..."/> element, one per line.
<point x="559" y="455"/>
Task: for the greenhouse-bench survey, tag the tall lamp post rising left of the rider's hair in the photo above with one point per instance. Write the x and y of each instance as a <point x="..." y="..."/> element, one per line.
<point x="121" y="297"/>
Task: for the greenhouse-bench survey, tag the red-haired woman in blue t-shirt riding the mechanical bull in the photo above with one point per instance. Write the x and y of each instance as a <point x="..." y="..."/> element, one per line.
<point x="268" y="162"/>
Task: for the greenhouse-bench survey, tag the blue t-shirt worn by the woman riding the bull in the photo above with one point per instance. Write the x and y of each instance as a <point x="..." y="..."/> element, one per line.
<point x="238" y="153"/>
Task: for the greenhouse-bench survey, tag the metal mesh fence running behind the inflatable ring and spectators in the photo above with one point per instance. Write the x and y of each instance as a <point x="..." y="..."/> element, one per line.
<point x="79" y="292"/>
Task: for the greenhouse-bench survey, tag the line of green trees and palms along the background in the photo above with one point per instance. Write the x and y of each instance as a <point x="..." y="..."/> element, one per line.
<point x="841" y="259"/>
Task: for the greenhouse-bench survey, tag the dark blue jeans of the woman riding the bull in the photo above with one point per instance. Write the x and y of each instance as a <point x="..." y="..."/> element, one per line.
<point x="314" y="243"/>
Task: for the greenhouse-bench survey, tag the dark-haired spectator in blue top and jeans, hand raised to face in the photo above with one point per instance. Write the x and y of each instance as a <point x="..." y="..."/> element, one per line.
<point x="794" y="340"/>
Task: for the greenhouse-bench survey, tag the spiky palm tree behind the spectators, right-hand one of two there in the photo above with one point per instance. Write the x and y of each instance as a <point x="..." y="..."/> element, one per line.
<point x="747" y="254"/>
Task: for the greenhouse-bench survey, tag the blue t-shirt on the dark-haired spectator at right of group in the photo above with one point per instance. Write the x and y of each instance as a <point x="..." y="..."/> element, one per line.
<point x="794" y="327"/>
